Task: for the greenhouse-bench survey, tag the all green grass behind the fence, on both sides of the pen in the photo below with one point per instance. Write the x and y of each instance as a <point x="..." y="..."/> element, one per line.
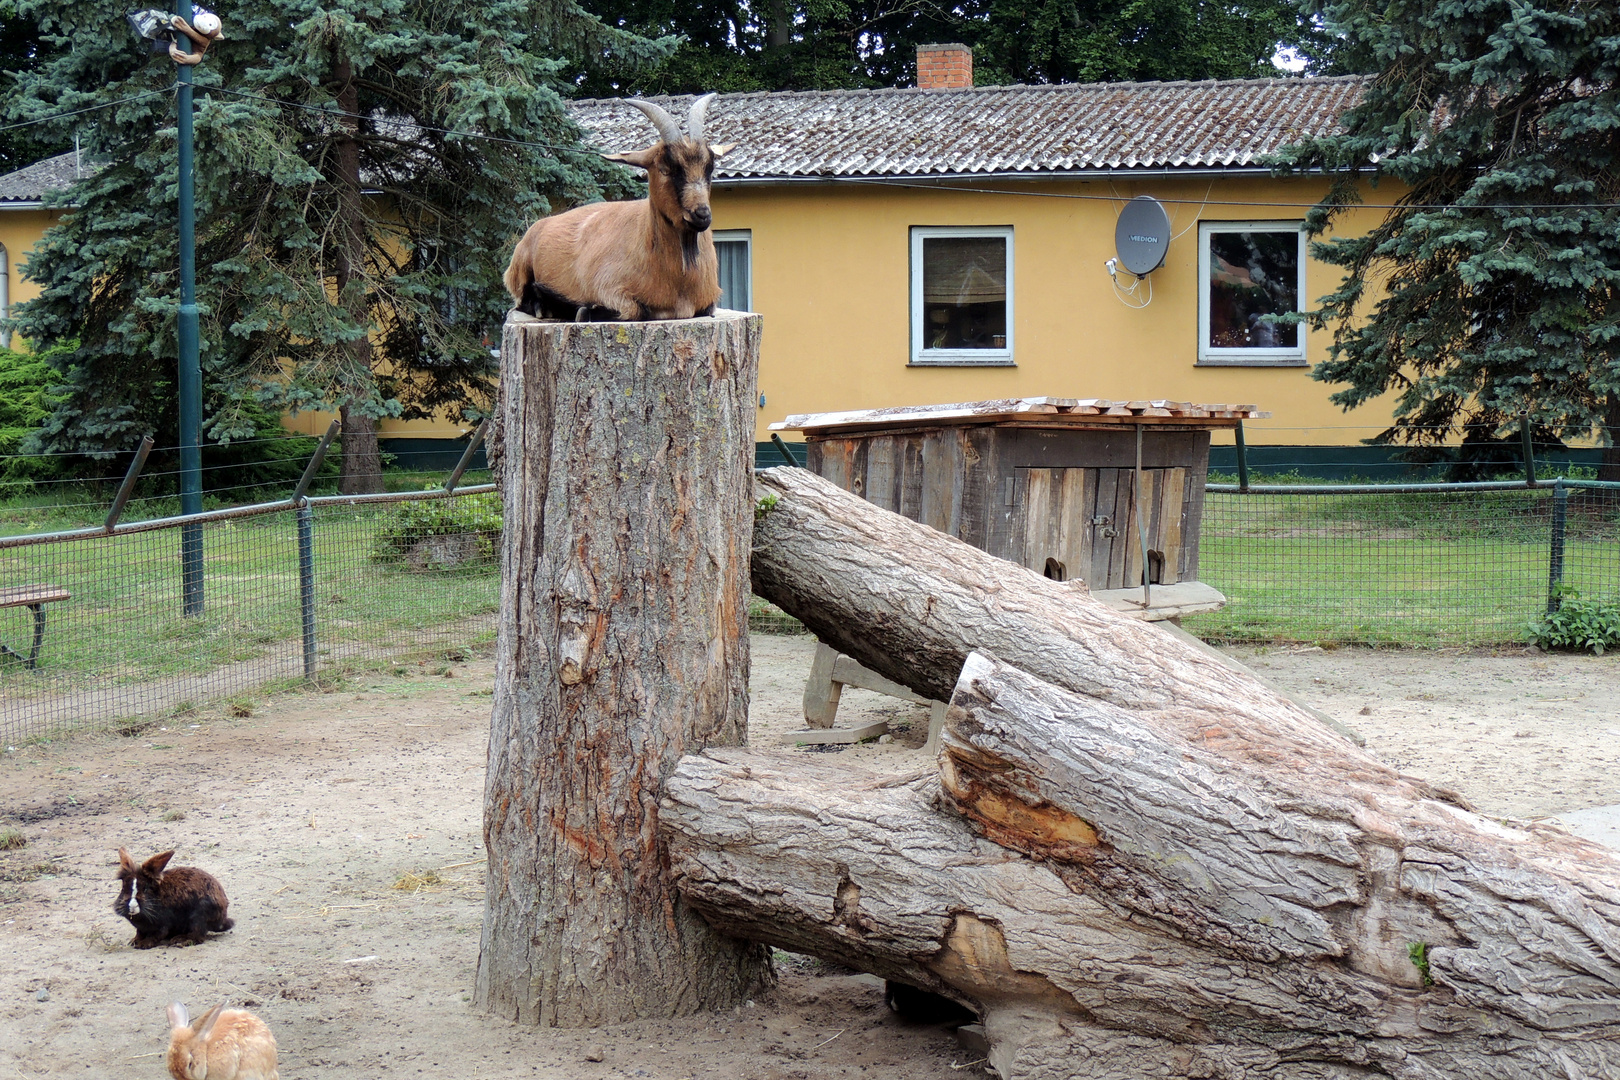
<point x="1452" y="569"/>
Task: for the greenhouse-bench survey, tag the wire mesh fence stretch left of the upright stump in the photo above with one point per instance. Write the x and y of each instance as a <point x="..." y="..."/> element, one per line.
<point x="98" y="637"/>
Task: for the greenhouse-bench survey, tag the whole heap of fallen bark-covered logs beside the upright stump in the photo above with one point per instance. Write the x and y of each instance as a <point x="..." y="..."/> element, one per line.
<point x="1133" y="861"/>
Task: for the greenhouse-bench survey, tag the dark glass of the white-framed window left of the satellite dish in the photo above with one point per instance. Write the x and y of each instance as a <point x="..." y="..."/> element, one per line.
<point x="965" y="292"/>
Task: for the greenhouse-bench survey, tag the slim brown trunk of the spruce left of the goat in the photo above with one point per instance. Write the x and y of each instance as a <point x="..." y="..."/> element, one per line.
<point x="360" y="472"/>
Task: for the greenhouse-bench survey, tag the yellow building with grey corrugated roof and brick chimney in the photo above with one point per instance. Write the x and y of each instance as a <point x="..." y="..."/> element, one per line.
<point x="931" y="245"/>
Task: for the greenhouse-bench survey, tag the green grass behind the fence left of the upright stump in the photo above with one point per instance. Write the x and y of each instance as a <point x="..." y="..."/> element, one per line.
<point x="126" y="624"/>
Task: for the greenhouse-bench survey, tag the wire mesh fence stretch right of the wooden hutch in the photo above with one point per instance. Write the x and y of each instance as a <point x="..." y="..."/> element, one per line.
<point x="1404" y="566"/>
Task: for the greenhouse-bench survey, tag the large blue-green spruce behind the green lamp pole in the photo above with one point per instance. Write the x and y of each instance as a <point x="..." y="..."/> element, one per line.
<point x="362" y="171"/>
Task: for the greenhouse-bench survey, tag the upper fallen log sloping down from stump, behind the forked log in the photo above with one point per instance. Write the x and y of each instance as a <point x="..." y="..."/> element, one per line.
<point x="911" y="603"/>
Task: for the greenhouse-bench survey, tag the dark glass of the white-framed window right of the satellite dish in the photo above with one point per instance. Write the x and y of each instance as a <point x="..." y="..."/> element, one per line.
<point x="1253" y="278"/>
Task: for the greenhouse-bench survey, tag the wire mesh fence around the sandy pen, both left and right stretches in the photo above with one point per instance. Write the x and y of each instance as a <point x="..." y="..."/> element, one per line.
<point x="96" y="636"/>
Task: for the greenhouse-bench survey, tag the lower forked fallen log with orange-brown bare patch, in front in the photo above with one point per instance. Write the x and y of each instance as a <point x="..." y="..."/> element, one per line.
<point x="1122" y="903"/>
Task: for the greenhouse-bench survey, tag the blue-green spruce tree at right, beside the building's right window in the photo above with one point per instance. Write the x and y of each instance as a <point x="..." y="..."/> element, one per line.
<point x="1491" y="291"/>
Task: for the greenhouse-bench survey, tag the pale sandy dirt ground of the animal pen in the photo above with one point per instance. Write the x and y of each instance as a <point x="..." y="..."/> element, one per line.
<point x="346" y="827"/>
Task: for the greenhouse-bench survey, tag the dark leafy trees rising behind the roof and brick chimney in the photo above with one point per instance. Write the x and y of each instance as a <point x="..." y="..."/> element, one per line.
<point x="829" y="45"/>
